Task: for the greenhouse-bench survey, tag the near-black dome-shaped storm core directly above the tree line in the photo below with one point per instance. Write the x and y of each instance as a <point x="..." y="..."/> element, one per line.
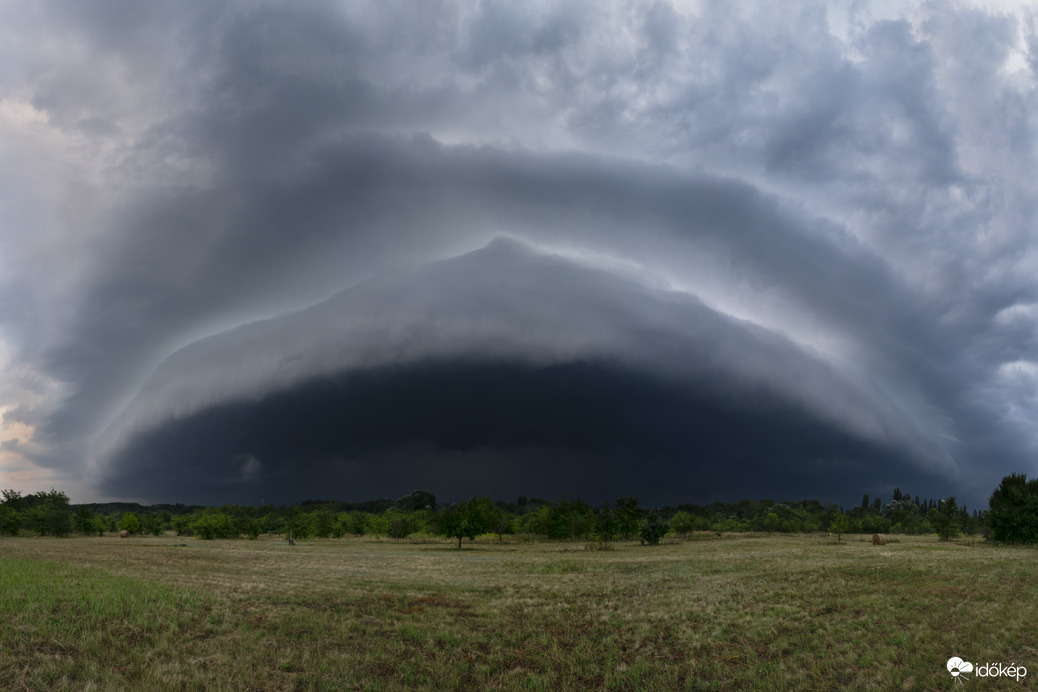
<point x="460" y="429"/>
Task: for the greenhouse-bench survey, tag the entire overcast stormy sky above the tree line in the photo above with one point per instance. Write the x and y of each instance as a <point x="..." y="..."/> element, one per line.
<point x="692" y="252"/>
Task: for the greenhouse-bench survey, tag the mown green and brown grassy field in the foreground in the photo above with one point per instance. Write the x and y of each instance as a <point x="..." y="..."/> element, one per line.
<point x="739" y="613"/>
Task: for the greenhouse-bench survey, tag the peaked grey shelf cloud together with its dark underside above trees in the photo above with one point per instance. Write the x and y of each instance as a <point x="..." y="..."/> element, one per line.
<point x="506" y="369"/>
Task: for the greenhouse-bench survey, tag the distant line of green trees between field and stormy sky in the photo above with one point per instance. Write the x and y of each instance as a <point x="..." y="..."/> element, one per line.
<point x="1013" y="518"/>
